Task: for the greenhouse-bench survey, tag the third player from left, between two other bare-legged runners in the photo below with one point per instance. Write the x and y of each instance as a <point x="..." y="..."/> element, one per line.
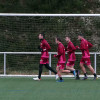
<point x="71" y="57"/>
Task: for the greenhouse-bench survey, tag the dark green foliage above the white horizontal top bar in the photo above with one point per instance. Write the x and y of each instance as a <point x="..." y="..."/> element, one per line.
<point x="48" y="6"/>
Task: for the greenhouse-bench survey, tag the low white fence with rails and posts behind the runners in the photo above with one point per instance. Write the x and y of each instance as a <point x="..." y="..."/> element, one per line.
<point x="50" y="62"/>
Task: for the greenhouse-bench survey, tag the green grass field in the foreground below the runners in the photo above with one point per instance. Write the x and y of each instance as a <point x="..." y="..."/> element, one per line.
<point x="49" y="89"/>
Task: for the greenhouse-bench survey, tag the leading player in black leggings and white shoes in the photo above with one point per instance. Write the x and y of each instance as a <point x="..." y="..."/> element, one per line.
<point x="44" y="48"/>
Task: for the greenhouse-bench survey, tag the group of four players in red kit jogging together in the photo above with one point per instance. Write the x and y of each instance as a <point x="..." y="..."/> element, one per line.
<point x="61" y="50"/>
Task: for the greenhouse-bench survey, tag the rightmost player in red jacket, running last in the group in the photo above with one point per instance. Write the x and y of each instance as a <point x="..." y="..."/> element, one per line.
<point x="84" y="47"/>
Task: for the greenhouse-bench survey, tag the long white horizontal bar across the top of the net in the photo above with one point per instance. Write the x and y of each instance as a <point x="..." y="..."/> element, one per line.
<point x="24" y="14"/>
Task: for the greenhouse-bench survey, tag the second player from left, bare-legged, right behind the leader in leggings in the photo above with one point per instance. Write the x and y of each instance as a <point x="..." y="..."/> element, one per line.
<point x="61" y="59"/>
